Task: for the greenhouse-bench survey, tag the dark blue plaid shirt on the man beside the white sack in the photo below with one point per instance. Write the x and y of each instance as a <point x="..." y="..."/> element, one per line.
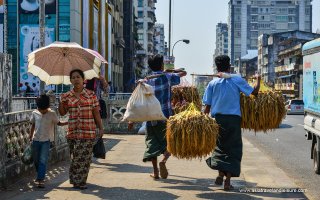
<point x="162" y="88"/>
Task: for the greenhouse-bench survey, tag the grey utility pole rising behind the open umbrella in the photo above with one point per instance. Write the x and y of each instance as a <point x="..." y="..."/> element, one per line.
<point x="42" y="27"/>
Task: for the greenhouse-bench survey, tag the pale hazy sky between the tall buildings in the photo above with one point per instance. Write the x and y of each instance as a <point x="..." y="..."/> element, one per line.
<point x="196" y="21"/>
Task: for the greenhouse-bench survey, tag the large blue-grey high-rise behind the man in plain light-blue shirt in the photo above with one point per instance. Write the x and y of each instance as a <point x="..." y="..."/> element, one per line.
<point x="250" y="18"/>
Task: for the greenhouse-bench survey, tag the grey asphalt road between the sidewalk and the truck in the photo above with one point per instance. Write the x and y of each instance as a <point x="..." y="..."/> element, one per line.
<point x="289" y="149"/>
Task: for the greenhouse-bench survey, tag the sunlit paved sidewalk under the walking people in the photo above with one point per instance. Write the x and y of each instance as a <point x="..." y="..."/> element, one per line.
<point x="123" y="175"/>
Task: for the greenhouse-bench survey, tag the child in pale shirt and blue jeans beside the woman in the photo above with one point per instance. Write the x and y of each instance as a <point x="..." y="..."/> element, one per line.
<point x="43" y="121"/>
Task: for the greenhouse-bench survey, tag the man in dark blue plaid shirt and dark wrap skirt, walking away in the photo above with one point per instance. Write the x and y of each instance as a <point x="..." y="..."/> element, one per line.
<point x="155" y="139"/>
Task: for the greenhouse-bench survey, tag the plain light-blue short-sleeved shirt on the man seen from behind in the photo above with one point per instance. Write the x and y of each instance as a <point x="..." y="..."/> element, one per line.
<point x="223" y="95"/>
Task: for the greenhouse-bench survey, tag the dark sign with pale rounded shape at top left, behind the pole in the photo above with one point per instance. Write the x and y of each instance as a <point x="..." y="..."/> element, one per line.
<point x="32" y="6"/>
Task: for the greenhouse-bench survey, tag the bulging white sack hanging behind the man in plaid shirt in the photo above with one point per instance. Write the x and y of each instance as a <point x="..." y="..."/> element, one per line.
<point x="143" y="105"/>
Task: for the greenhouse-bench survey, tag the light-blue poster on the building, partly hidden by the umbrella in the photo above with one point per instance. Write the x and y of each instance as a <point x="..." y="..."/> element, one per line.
<point x="30" y="41"/>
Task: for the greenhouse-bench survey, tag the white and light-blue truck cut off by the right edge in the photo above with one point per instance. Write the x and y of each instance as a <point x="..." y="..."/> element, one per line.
<point x="311" y="98"/>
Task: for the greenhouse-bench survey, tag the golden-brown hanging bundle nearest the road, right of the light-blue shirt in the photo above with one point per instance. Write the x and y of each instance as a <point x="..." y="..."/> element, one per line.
<point x="262" y="112"/>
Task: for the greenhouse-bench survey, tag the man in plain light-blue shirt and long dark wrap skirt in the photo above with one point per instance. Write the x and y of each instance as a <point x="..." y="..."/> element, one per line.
<point x="222" y="100"/>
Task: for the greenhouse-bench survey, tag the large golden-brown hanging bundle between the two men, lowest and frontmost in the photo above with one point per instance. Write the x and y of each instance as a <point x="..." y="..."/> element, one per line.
<point x="191" y="134"/>
